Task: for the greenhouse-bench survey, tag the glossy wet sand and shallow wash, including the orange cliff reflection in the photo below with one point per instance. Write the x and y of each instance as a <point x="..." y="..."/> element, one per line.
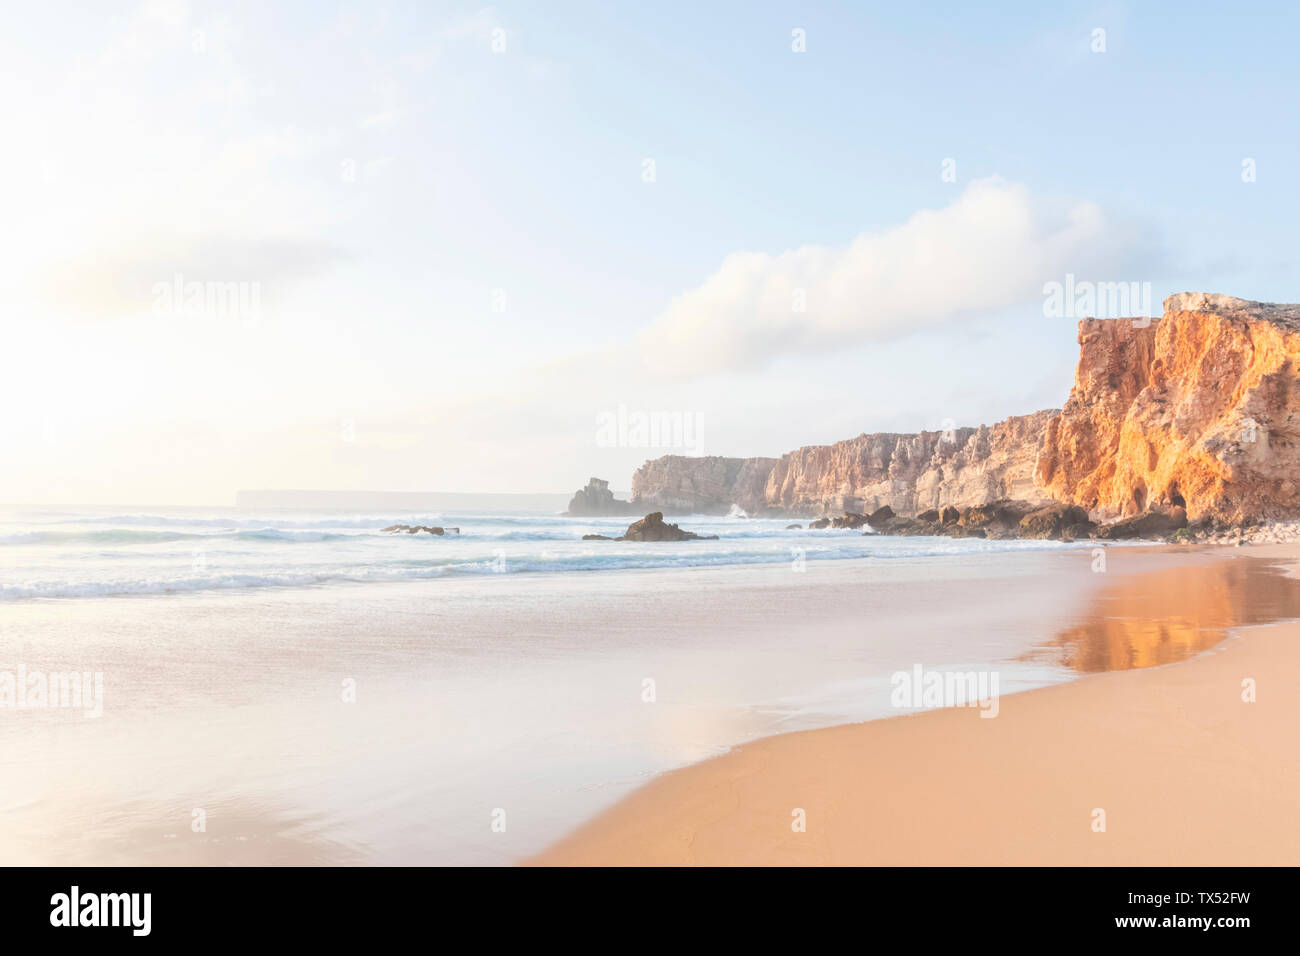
<point x="527" y="694"/>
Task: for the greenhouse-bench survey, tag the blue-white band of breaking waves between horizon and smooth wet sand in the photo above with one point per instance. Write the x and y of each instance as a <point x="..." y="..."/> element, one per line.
<point x="114" y="552"/>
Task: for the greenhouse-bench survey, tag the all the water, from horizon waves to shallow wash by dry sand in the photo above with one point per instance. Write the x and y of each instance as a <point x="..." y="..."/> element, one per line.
<point x="313" y="691"/>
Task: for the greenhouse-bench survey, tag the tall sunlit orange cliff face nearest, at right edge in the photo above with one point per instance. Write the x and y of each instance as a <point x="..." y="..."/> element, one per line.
<point x="1198" y="409"/>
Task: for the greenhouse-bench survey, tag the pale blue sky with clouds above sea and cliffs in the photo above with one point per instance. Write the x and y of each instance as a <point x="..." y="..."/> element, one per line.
<point x="441" y="246"/>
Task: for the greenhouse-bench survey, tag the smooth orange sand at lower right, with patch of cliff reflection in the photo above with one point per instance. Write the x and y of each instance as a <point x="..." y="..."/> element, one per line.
<point x="1185" y="769"/>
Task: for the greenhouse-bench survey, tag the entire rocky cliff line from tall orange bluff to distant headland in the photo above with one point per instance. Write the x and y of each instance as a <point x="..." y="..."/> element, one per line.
<point x="1198" y="409"/>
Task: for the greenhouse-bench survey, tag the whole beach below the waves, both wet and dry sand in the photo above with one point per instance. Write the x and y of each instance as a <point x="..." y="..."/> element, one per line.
<point x="395" y="724"/>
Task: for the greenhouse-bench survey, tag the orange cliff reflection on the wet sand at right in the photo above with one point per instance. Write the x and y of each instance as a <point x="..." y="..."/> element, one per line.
<point x="1168" y="616"/>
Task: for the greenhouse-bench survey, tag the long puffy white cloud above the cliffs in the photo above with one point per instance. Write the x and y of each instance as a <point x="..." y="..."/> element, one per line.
<point x="991" y="249"/>
